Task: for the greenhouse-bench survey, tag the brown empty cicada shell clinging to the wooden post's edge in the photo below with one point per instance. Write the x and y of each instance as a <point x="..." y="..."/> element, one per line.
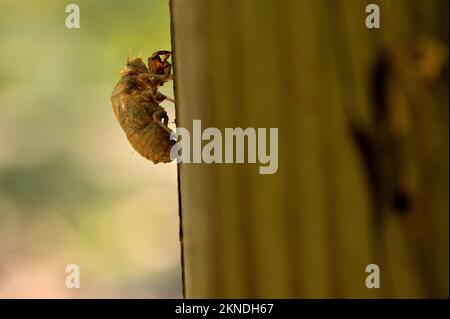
<point x="136" y="104"/>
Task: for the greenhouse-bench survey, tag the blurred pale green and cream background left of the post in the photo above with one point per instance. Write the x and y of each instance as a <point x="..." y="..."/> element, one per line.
<point x="72" y="190"/>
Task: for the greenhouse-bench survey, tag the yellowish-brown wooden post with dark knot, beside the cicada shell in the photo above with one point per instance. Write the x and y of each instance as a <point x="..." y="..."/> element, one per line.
<point x="309" y="69"/>
